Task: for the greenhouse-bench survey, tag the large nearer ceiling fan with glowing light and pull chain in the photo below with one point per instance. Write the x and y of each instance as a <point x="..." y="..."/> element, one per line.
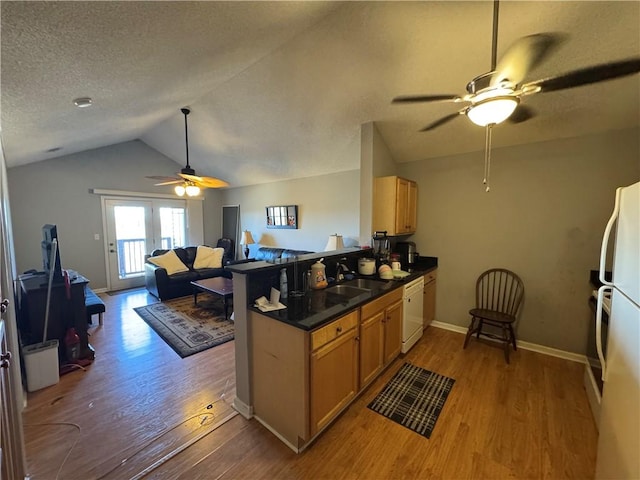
<point x="495" y="96"/>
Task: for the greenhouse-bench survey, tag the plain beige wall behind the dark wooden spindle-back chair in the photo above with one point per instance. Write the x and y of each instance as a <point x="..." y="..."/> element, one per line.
<point x="543" y="219"/>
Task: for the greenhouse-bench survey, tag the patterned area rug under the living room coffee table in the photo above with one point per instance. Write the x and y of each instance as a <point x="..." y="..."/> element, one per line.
<point x="186" y="328"/>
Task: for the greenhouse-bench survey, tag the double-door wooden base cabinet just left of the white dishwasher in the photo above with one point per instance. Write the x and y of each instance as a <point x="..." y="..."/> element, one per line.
<point x="380" y="334"/>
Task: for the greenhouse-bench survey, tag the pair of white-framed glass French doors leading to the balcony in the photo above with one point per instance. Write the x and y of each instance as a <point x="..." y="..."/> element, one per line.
<point x="134" y="228"/>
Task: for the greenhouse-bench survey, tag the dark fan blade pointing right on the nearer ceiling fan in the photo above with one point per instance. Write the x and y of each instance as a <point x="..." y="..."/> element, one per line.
<point x="585" y="76"/>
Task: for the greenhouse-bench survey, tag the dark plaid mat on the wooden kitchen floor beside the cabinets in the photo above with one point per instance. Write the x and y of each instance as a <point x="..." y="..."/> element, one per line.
<point x="414" y="398"/>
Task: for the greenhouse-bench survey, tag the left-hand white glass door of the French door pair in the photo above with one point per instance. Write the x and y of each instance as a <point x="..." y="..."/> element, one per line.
<point x="129" y="238"/>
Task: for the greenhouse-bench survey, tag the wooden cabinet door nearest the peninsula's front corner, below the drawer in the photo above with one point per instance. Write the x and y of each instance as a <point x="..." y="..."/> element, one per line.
<point x="334" y="378"/>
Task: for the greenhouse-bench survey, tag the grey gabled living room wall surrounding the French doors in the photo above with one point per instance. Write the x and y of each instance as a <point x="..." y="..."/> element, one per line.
<point x="58" y="191"/>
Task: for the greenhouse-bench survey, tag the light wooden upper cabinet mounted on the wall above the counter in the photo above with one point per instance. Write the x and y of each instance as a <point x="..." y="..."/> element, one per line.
<point x="395" y="205"/>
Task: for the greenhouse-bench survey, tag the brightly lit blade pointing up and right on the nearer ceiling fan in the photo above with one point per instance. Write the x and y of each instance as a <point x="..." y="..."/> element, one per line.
<point x="522" y="56"/>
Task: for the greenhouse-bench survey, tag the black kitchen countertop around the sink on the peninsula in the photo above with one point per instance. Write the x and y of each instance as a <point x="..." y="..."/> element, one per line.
<point x="318" y="307"/>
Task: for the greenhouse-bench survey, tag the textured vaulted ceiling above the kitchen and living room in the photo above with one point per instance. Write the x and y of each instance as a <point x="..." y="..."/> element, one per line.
<point x="280" y="89"/>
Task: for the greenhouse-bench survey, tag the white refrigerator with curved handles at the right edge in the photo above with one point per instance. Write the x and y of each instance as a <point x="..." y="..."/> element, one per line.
<point x="619" y="438"/>
